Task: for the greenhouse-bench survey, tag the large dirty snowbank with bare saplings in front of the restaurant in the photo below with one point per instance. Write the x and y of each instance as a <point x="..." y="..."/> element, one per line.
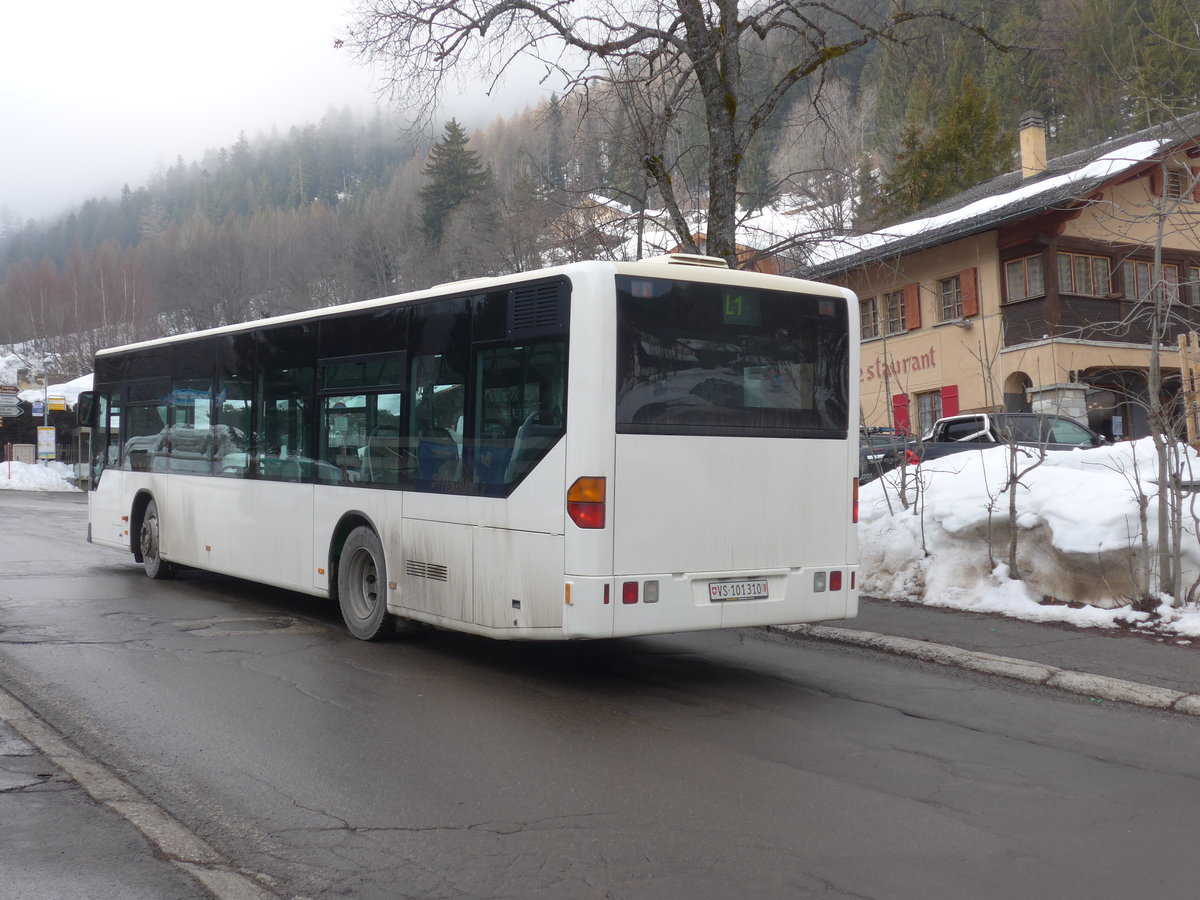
<point x="1079" y="538"/>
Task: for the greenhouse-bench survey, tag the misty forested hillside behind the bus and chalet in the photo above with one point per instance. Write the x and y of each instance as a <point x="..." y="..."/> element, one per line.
<point x="349" y="208"/>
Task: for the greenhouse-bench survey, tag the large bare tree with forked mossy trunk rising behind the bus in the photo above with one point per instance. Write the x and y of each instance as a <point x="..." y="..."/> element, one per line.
<point x="685" y="45"/>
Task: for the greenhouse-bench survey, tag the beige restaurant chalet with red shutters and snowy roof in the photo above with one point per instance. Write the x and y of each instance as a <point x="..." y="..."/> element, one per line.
<point x="1033" y="291"/>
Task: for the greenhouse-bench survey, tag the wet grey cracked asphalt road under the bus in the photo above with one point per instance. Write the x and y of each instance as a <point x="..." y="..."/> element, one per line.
<point x="724" y="765"/>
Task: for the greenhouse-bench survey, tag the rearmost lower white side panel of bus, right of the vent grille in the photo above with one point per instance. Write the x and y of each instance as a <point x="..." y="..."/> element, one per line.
<point x="519" y="579"/>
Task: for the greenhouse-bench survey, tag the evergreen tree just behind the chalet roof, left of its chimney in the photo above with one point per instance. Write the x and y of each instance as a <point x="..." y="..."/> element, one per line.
<point x="965" y="147"/>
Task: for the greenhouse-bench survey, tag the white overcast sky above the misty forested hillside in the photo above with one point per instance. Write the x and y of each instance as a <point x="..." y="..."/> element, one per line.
<point x="94" y="95"/>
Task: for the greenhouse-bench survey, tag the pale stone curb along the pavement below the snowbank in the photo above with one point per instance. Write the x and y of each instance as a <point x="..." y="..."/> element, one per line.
<point x="1082" y="683"/>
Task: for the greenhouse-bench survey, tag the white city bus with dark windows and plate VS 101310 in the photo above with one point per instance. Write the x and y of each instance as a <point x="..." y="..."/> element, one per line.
<point x="592" y="451"/>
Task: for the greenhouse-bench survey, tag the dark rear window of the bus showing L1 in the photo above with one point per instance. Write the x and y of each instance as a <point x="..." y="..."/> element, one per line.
<point x="698" y="358"/>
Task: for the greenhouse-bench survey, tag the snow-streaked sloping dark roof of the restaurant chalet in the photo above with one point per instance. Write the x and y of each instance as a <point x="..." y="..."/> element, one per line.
<point x="1067" y="181"/>
